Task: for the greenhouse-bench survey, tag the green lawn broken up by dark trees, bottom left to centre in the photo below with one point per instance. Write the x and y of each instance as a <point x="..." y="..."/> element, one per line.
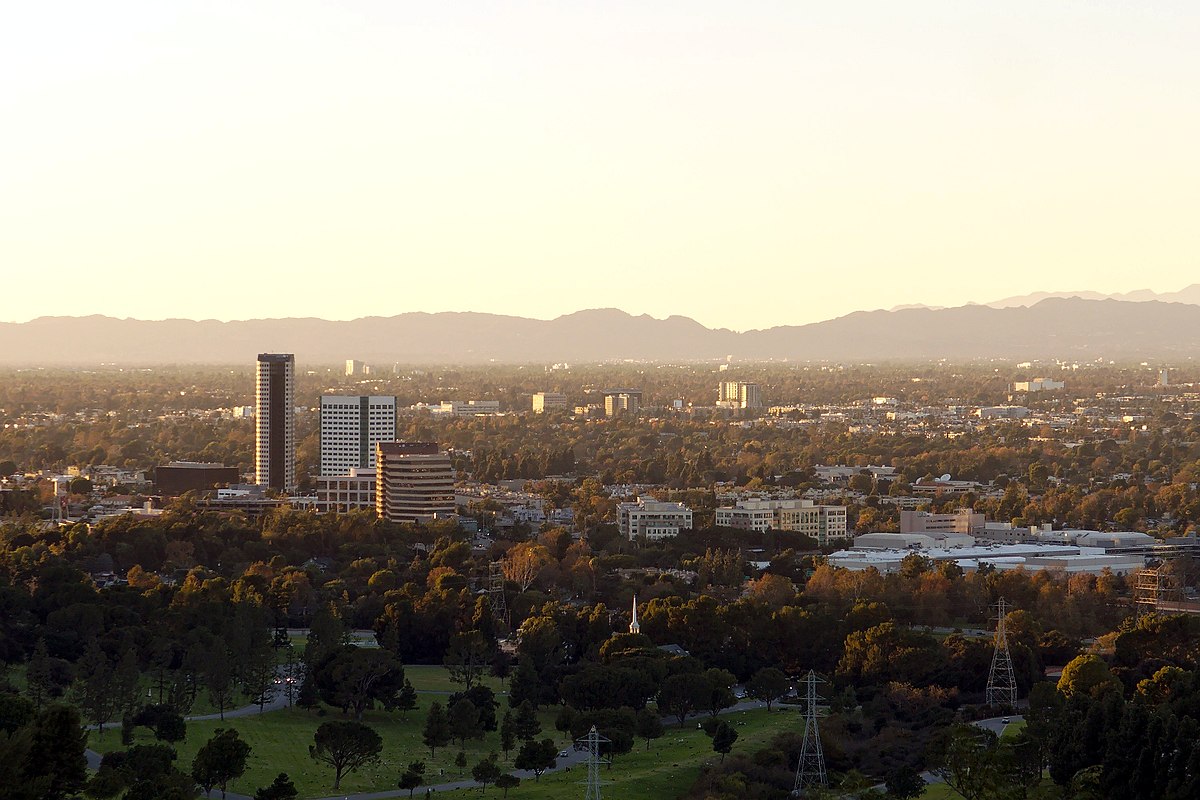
<point x="280" y="743"/>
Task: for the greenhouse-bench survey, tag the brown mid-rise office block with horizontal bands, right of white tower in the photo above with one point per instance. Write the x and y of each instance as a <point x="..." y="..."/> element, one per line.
<point x="415" y="482"/>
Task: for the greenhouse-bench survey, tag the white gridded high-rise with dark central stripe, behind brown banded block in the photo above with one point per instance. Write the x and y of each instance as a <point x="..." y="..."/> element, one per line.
<point x="351" y="428"/>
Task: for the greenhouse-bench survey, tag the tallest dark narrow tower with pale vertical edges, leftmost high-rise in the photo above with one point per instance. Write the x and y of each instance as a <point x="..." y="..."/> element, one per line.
<point x="275" y="429"/>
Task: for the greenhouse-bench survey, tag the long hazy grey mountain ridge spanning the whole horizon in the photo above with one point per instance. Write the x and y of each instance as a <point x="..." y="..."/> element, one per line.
<point x="1053" y="328"/>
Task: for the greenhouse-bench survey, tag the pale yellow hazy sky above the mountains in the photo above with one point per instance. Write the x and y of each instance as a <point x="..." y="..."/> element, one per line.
<point x="743" y="164"/>
